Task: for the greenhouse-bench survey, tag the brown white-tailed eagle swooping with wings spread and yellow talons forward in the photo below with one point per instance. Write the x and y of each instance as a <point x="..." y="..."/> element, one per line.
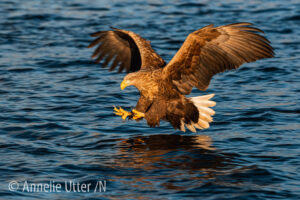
<point x="162" y="86"/>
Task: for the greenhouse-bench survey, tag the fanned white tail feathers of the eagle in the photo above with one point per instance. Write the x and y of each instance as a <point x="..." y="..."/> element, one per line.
<point x="202" y="103"/>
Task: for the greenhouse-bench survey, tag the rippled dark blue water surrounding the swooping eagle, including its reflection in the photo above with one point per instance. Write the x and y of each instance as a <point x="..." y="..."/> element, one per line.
<point x="57" y="121"/>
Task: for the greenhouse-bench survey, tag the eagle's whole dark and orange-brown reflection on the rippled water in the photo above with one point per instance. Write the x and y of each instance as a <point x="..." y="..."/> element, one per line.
<point x="194" y="158"/>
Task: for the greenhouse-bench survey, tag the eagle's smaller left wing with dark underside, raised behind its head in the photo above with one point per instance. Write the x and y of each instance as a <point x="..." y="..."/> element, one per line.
<point x="126" y="49"/>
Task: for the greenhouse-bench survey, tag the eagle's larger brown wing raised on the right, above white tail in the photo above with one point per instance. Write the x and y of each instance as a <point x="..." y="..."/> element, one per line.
<point x="211" y="50"/>
